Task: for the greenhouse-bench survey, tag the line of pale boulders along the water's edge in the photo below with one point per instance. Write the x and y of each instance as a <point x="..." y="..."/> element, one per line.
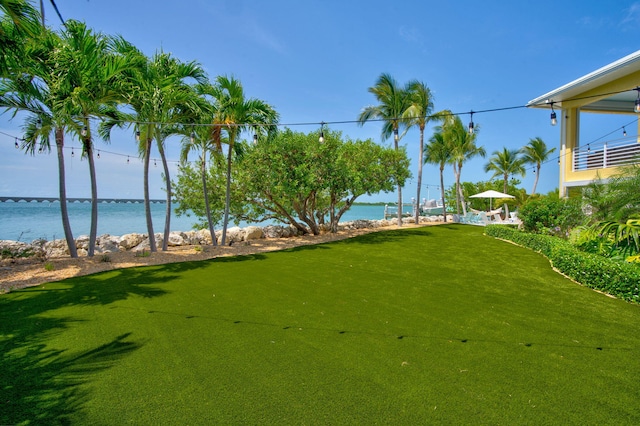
<point x="136" y="242"/>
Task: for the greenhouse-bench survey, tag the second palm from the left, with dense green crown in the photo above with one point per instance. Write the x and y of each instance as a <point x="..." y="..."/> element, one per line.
<point x="91" y="76"/>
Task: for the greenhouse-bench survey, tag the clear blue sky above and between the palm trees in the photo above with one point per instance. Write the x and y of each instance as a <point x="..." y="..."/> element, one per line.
<point x="314" y="61"/>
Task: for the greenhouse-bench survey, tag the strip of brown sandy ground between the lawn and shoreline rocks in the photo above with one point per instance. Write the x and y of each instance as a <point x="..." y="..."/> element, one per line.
<point x="20" y="273"/>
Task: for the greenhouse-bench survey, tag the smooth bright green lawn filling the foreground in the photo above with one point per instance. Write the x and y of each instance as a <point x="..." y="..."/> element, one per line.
<point x="416" y="326"/>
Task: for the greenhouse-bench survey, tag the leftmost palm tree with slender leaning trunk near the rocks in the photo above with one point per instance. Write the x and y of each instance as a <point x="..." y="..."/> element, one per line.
<point x="37" y="92"/>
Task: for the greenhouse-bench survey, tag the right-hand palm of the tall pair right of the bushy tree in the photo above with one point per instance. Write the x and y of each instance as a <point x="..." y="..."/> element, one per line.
<point x="419" y="114"/>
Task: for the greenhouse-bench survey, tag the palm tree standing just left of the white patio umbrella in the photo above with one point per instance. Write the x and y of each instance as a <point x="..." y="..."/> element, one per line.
<point x="463" y="147"/>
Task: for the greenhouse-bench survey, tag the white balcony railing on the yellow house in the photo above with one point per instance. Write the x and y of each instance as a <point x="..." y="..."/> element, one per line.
<point x="607" y="154"/>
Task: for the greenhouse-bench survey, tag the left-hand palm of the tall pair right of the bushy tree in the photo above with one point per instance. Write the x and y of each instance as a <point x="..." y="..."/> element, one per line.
<point x="394" y="102"/>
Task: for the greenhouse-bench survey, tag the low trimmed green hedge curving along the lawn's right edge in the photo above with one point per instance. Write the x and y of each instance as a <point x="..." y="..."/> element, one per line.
<point x="618" y="279"/>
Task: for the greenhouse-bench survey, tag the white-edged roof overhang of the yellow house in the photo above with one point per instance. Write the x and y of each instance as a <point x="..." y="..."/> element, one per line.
<point x="586" y="88"/>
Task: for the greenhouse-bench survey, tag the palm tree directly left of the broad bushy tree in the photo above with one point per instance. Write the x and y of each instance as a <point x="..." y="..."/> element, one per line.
<point x="232" y="114"/>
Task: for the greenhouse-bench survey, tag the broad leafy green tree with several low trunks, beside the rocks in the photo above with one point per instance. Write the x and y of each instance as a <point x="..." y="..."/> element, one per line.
<point x="295" y="179"/>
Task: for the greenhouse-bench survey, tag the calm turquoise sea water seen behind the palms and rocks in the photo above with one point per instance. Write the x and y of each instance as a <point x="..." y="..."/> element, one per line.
<point x="24" y="221"/>
